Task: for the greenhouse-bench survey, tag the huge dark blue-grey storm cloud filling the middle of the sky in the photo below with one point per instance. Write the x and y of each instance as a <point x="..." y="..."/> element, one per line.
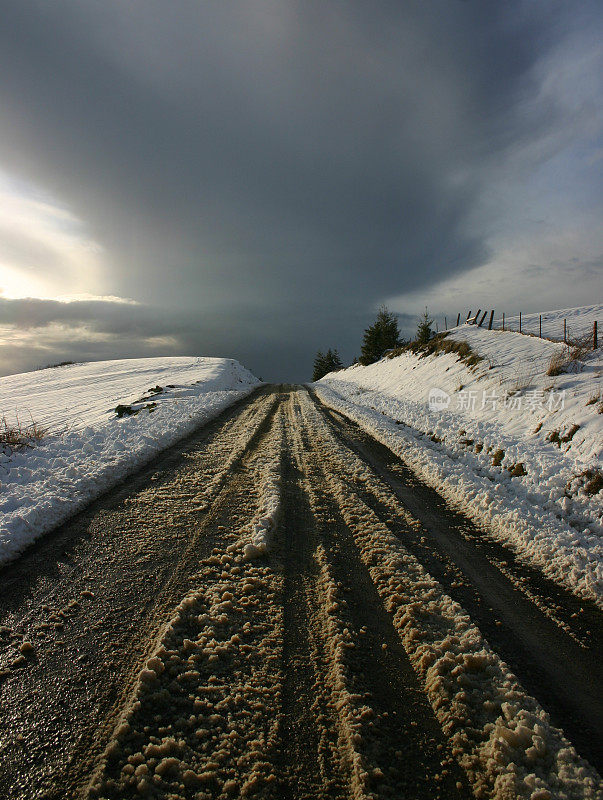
<point x="267" y="172"/>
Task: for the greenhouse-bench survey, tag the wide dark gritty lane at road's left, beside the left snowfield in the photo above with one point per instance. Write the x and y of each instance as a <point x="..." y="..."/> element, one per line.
<point x="132" y="559"/>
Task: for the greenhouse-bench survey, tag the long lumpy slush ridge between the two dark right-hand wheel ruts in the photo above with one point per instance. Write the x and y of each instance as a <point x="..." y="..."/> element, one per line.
<point x="500" y="735"/>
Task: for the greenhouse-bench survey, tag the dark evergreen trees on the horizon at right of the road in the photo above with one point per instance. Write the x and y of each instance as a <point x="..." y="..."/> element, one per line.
<point x="379" y="338"/>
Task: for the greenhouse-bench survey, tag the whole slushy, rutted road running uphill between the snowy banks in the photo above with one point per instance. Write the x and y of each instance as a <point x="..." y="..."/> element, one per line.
<point x="277" y="607"/>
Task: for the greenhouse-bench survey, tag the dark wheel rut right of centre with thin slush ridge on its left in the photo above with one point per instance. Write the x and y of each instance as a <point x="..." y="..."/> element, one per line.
<point x="389" y="742"/>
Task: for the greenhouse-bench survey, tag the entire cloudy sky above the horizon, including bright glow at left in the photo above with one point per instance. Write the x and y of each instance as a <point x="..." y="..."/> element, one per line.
<point x="254" y="178"/>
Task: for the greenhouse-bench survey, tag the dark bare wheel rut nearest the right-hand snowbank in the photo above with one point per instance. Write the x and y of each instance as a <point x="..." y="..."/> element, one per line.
<point x="551" y="639"/>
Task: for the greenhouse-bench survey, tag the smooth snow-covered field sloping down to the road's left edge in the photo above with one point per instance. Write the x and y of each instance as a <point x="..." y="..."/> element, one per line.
<point x="89" y="448"/>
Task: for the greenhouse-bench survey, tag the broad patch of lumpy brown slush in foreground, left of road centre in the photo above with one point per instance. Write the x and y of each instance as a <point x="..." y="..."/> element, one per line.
<point x="205" y="712"/>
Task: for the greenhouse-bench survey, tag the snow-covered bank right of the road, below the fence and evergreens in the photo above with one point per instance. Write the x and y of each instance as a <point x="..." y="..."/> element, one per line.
<point x="518" y="450"/>
